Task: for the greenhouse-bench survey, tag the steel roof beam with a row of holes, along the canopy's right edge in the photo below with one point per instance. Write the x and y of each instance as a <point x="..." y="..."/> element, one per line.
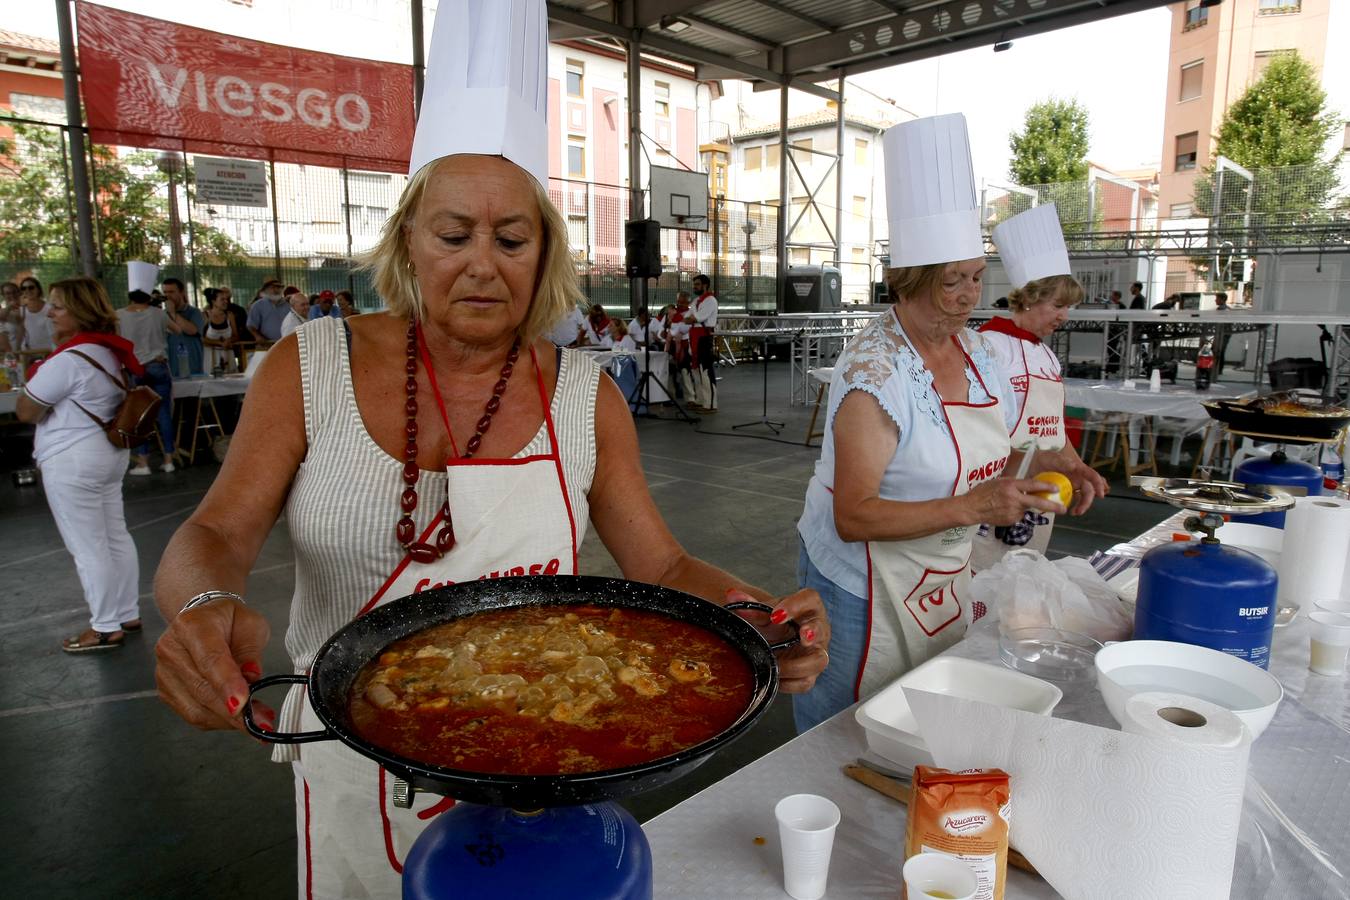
<point x="943" y="28"/>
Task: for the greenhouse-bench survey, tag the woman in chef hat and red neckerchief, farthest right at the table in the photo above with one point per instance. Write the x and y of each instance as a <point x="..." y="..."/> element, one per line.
<point x="1037" y="262"/>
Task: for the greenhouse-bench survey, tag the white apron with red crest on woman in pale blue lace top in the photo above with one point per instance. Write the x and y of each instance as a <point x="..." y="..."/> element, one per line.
<point x="916" y="588"/>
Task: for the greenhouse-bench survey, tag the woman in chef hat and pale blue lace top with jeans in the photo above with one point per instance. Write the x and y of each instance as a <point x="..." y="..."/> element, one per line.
<point x="917" y="438"/>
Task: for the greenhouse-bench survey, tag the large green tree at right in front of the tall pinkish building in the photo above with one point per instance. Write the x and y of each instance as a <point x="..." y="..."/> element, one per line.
<point x="1279" y="130"/>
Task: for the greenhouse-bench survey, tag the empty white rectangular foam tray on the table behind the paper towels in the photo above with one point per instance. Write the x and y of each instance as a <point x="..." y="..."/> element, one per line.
<point x="892" y="729"/>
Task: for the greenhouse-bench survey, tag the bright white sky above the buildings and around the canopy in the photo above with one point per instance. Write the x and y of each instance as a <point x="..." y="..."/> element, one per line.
<point x="1117" y="68"/>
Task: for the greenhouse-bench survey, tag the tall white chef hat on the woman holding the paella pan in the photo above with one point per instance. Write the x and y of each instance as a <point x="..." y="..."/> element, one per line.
<point x="487" y="86"/>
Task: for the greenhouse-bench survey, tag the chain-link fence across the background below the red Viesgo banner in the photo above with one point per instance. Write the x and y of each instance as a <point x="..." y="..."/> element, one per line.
<point x="315" y="225"/>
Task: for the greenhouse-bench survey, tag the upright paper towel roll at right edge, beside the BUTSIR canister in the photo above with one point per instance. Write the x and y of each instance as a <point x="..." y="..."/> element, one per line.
<point x="1313" y="561"/>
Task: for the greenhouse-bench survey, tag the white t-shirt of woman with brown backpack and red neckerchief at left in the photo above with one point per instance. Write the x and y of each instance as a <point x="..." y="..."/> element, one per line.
<point x="64" y="381"/>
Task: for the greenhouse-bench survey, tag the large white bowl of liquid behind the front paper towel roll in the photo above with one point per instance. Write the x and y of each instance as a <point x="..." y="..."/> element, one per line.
<point x="1133" y="667"/>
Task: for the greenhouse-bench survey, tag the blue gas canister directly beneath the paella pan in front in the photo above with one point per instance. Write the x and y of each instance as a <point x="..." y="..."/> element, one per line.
<point x="475" y="852"/>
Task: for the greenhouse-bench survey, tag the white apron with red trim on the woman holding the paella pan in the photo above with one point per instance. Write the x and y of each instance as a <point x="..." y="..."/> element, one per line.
<point x="512" y="517"/>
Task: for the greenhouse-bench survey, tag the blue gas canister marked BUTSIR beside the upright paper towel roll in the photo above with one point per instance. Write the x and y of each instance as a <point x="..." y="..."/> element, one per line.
<point x="1212" y="596"/>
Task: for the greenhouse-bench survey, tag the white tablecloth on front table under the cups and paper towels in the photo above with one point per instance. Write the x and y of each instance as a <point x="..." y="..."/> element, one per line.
<point x="1299" y="779"/>
